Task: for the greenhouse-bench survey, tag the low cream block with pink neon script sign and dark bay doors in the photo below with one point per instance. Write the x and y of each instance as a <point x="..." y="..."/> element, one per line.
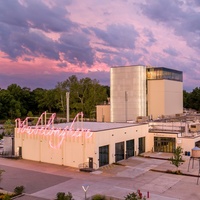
<point x="79" y="144"/>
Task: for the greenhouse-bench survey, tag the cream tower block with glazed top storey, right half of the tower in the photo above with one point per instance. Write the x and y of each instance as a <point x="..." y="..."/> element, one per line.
<point x="164" y="92"/>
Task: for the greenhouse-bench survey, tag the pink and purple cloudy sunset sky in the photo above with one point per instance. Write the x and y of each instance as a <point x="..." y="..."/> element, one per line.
<point x="43" y="42"/>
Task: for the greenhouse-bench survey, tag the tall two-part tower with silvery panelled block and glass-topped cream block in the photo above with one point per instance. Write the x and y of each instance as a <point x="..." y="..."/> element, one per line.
<point x="144" y="91"/>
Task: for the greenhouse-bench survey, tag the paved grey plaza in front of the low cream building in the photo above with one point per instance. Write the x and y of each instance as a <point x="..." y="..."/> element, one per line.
<point x="44" y="181"/>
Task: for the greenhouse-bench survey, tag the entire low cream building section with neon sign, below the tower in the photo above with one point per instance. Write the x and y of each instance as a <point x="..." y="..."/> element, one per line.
<point x="95" y="144"/>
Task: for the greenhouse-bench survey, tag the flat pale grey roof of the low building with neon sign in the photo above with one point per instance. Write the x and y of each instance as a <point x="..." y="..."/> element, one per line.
<point x="95" y="126"/>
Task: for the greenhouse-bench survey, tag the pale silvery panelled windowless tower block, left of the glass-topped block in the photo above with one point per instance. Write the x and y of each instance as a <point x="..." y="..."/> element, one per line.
<point x="127" y="93"/>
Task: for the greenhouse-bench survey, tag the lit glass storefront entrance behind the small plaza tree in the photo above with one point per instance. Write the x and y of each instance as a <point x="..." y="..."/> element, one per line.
<point x="164" y="144"/>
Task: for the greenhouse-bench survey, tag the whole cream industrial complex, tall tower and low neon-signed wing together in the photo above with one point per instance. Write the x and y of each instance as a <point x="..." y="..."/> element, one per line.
<point x="145" y="114"/>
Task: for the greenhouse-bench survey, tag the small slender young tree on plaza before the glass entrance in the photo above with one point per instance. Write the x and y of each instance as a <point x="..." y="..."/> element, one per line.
<point x="176" y="159"/>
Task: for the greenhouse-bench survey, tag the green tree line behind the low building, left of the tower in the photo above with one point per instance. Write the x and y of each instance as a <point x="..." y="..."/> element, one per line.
<point x="85" y="94"/>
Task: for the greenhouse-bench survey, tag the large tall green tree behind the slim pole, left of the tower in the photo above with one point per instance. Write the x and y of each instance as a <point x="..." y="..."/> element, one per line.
<point x="85" y="94"/>
